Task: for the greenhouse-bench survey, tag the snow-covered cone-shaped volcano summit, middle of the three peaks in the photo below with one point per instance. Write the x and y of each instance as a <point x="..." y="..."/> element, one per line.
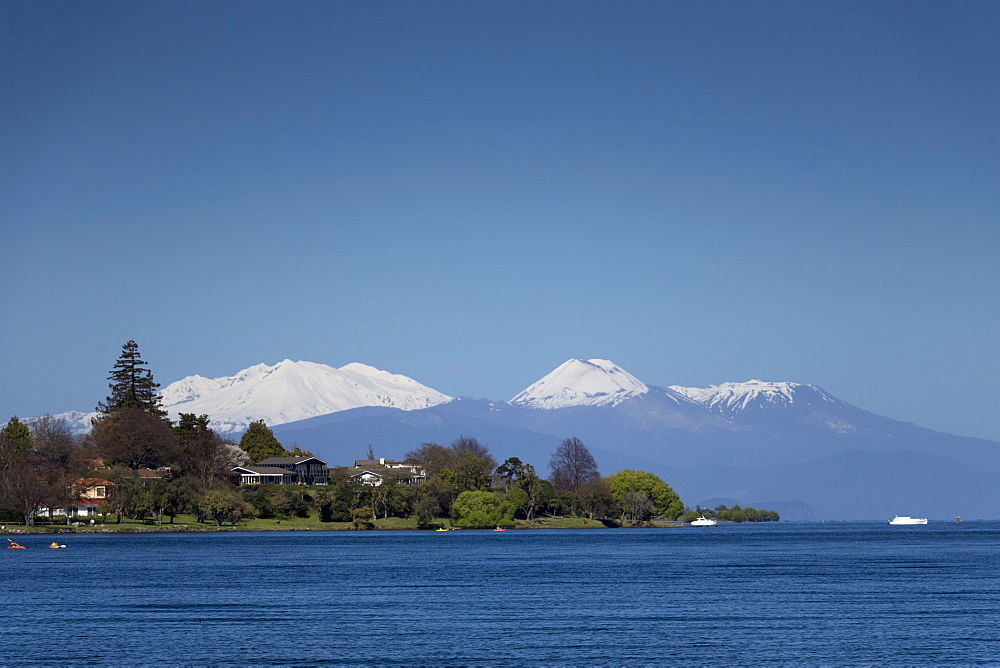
<point x="576" y="382"/>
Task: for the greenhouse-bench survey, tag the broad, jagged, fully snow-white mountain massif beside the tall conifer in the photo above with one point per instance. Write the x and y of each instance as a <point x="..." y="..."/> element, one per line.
<point x="291" y="391"/>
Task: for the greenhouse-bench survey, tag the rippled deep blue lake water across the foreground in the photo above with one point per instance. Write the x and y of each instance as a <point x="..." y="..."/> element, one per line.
<point x="813" y="593"/>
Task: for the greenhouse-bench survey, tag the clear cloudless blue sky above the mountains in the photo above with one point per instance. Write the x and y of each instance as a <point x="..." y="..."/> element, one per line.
<point x="470" y="193"/>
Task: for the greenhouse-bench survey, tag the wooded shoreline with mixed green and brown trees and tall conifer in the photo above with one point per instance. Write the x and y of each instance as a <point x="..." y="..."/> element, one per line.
<point x="152" y="473"/>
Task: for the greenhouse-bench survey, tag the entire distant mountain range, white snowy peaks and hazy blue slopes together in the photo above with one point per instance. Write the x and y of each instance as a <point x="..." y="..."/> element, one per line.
<point x="801" y="450"/>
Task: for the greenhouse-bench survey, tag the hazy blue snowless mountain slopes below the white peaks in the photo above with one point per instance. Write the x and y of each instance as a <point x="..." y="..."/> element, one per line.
<point x="838" y="460"/>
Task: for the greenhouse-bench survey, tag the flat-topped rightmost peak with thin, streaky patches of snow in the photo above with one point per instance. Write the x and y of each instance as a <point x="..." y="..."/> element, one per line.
<point x="731" y="399"/>
